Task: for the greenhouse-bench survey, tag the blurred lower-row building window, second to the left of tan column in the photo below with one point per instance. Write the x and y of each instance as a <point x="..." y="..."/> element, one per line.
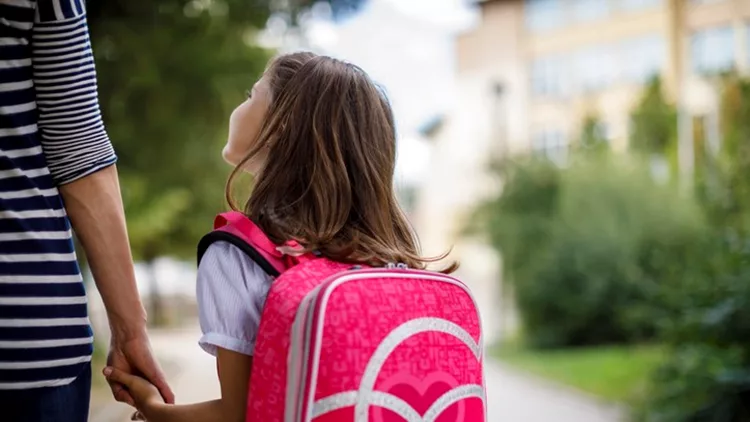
<point x="595" y="69"/>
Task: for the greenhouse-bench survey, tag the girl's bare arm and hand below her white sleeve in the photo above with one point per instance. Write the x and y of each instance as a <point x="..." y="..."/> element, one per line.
<point x="234" y="375"/>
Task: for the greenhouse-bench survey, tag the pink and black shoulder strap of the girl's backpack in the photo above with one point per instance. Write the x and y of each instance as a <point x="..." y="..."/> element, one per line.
<point x="234" y="227"/>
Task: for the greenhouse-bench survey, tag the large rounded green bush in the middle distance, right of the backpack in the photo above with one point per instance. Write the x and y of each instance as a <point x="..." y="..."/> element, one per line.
<point x="586" y="247"/>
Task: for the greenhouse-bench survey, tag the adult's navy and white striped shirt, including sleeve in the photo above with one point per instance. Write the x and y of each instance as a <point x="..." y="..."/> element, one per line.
<point x="51" y="133"/>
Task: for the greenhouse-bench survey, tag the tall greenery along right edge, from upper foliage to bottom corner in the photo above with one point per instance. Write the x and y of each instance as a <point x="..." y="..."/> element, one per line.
<point x="707" y="377"/>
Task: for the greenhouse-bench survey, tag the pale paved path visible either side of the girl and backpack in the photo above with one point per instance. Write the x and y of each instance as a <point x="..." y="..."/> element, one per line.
<point x="512" y="397"/>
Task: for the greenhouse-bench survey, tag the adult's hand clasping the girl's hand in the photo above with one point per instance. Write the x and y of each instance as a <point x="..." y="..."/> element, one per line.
<point x="133" y="355"/>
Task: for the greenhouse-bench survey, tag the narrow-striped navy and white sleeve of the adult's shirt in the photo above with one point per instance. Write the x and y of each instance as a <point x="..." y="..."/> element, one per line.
<point x="73" y="137"/>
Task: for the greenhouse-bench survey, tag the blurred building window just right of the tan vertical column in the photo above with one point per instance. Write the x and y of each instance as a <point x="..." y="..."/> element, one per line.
<point x="713" y="50"/>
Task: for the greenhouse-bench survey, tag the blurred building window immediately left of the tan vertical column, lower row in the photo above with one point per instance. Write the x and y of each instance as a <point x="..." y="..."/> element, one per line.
<point x="642" y="58"/>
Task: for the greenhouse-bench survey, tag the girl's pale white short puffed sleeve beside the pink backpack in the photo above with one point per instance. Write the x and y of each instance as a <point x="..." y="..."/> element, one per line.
<point x="231" y="292"/>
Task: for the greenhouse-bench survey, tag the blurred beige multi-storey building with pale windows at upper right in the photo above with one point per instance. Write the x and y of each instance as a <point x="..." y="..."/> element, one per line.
<point x="559" y="60"/>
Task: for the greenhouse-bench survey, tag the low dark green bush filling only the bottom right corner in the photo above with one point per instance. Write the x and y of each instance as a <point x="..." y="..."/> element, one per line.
<point x="707" y="377"/>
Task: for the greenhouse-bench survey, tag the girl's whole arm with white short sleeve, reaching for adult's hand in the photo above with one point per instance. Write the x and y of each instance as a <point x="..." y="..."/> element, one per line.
<point x="231" y="291"/>
